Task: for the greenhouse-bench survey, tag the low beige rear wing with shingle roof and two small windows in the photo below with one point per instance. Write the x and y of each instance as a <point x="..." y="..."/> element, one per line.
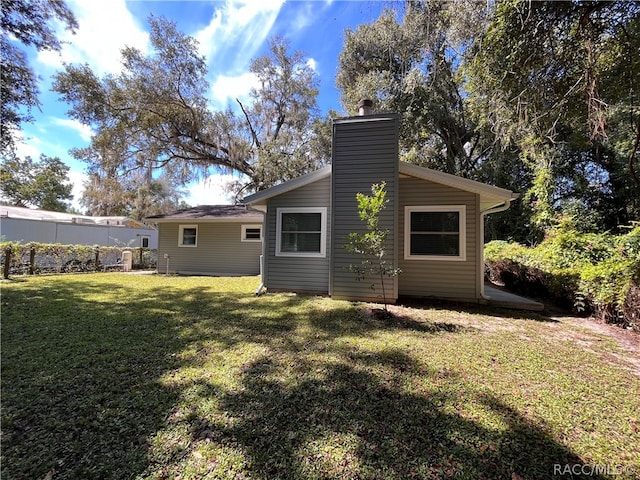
<point x="218" y="240"/>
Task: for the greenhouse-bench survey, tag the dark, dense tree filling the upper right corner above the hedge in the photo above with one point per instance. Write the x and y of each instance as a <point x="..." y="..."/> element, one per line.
<point x="558" y="81"/>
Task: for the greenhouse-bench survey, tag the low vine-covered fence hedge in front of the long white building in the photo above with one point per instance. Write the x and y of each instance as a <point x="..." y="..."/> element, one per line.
<point x="33" y="257"/>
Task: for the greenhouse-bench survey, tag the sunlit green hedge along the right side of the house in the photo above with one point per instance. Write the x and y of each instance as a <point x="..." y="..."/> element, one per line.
<point x="591" y="273"/>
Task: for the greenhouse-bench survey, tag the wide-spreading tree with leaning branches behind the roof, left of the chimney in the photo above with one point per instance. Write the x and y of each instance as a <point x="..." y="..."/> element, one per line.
<point x="155" y="117"/>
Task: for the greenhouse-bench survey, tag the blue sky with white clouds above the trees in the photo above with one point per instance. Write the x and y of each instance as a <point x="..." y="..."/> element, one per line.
<point x="230" y="33"/>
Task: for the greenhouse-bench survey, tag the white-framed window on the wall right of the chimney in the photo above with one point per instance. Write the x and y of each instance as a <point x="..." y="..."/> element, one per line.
<point x="435" y="232"/>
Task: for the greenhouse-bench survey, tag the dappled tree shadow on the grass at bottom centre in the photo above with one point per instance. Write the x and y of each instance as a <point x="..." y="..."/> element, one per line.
<point x="351" y="423"/>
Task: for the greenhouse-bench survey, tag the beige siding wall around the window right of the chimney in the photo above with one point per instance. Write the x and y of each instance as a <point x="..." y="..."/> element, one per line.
<point x="441" y="278"/>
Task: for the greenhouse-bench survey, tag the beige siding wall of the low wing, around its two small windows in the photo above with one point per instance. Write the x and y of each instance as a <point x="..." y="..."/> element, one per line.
<point x="220" y="250"/>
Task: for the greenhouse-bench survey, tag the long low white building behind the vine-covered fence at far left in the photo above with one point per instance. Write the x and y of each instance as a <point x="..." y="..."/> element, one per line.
<point x="30" y="225"/>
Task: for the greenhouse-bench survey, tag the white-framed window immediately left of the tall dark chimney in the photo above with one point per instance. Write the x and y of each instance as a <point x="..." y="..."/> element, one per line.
<point x="301" y="232"/>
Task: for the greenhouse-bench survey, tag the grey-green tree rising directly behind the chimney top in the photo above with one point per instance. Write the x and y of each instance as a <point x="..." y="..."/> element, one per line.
<point x="408" y="62"/>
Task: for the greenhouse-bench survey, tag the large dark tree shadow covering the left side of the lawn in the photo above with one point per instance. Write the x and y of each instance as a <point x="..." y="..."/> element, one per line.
<point x="82" y="389"/>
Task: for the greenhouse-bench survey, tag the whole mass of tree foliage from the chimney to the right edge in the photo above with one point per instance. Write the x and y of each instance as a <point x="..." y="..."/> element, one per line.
<point x="537" y="97"/>
